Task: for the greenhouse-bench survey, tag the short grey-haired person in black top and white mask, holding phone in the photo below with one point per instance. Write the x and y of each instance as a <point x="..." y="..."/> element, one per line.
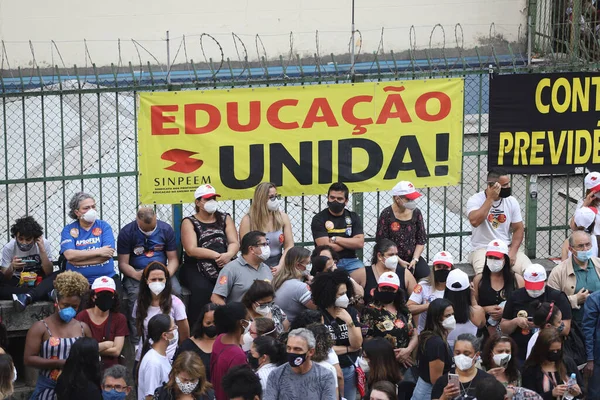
<point x="466" y="352"/>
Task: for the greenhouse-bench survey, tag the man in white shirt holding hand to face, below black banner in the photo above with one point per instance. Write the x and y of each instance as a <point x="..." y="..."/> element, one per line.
<point x="495" y="214"/>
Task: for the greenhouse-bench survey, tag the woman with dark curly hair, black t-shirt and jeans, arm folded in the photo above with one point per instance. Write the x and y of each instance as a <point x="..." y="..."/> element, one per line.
<point x="331" y="292"/>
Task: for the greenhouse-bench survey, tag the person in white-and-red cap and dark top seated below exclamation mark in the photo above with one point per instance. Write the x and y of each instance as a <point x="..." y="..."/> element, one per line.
<point x="402" y="223"/>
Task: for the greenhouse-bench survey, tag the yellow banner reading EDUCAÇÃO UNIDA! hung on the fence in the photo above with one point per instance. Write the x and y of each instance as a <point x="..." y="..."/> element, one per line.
<point x="301" y="138"/>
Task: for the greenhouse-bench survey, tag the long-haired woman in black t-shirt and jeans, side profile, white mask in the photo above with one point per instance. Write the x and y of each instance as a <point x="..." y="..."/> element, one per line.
<point x="433" y="356"/>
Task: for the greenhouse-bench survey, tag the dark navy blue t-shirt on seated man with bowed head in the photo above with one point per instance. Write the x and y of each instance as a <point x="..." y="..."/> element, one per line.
<point x="144" y="249"/>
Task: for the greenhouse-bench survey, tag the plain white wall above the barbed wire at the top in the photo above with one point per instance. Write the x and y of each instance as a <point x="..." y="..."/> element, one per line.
<point x="68" y="22"/>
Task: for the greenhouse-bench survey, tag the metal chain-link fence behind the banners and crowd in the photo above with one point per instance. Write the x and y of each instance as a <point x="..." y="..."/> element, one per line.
<point x="66" y="130"/>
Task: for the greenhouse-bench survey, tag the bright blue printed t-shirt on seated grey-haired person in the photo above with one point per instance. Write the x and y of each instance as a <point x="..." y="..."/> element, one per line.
<point x="74" y="237"/>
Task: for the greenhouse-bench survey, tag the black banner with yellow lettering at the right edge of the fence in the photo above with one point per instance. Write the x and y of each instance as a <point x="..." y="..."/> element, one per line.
<point x="544" y="123"/>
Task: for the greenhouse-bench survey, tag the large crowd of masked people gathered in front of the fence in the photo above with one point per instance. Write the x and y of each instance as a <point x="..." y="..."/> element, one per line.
<point x="266" y="319"/>
